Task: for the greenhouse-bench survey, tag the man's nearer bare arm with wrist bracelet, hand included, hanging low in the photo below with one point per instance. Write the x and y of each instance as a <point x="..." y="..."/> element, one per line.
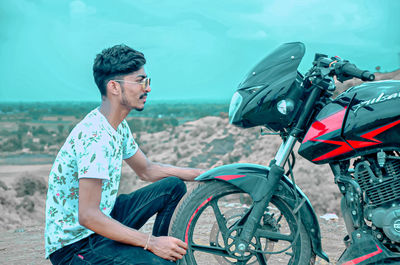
<point x="92" y="218"/>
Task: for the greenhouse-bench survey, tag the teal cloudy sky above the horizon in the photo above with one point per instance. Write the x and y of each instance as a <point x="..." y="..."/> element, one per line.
<point x="196" y="50"/>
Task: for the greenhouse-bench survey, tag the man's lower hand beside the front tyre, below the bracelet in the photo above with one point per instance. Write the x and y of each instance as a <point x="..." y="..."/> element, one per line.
<point x="167" y="247"/>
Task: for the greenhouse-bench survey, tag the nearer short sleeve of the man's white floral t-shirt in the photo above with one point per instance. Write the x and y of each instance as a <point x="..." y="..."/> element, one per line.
<point x="92" y="157"/>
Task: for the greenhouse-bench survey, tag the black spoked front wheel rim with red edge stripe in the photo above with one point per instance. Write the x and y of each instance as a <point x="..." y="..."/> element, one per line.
<point x="210" y="234"/>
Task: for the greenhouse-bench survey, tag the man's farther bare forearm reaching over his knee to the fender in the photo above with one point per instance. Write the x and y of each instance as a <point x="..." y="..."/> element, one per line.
<point x="150" y="171"/>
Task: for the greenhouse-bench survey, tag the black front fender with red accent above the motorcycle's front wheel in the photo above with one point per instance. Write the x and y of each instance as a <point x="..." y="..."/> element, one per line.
<point x="250" y="177"/>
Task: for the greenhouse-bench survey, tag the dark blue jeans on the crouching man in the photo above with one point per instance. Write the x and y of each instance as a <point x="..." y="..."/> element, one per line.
<point x="132" y="210"/>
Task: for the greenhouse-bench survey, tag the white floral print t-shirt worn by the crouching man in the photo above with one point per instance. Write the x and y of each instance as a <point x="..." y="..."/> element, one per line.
<point x="94" y="149"/>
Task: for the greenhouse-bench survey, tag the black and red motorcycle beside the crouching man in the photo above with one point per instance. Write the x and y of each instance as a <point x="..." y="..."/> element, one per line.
<point x="254" y="214"/>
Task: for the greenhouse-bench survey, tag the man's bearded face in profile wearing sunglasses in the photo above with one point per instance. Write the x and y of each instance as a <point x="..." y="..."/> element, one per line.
<point x="133" y="90"/>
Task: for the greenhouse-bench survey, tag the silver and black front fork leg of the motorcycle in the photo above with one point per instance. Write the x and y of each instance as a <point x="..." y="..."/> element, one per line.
<point x="274" y="176"/>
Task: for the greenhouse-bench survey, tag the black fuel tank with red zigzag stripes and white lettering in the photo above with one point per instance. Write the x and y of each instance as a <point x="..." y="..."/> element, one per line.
<point x="361" y="120"/>
